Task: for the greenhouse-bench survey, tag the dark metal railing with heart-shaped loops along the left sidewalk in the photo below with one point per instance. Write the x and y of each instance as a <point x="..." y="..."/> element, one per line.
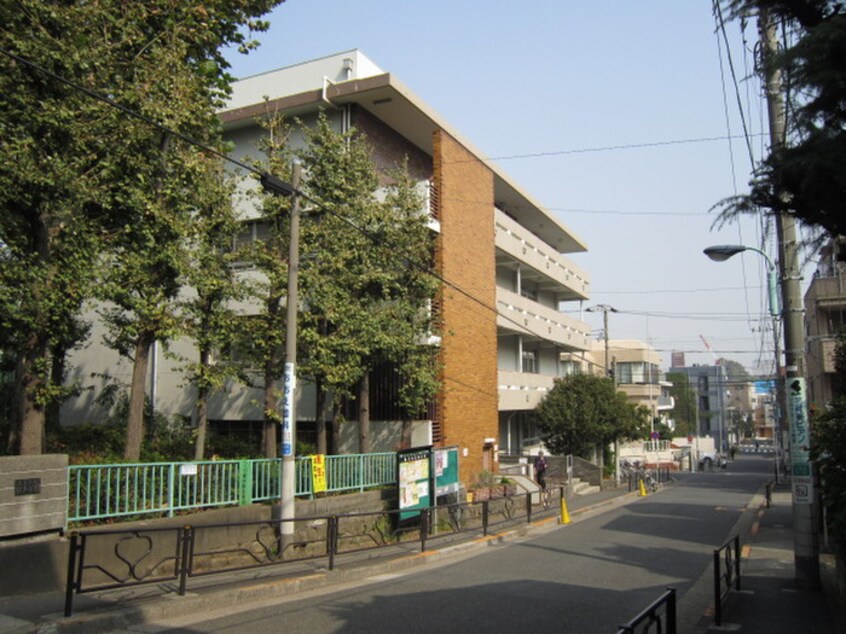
<point x="114" y="558"/>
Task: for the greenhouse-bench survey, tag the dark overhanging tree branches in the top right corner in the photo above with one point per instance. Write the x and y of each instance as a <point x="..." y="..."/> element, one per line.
<point x="807" y="177"/>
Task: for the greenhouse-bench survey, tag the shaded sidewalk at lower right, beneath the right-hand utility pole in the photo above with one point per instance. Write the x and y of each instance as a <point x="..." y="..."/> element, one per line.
<point x="769" y="601"/>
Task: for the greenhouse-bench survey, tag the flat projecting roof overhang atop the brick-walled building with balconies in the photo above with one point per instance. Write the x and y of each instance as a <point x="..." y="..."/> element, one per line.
<point x="388" y="100"/>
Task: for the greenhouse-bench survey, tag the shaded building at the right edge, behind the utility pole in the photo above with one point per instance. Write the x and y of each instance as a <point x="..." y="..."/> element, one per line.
<point x="825" y="317"/>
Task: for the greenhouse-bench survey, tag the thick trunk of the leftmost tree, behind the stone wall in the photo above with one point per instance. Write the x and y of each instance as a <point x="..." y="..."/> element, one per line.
<point x="31" y="415"/>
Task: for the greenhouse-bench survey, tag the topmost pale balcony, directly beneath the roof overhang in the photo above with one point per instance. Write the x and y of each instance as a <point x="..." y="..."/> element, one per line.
<point x="547" y="269"/>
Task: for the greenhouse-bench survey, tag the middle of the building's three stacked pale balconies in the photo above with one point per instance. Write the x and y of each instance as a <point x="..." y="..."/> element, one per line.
<point x="533" y="321"/>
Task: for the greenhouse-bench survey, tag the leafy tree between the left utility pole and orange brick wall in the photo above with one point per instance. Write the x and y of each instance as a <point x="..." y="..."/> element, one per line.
<point x="367" y="294"/>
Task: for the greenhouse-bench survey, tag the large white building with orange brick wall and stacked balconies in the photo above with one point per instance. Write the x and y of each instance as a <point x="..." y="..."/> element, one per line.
<point x="499" y="251"/>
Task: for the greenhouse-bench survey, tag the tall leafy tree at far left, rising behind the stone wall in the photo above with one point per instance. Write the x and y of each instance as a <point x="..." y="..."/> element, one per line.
<point x="76" y="171"/>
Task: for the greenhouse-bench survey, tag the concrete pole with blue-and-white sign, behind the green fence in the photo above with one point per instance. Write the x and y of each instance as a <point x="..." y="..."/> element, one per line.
<point x="289" y="411"/>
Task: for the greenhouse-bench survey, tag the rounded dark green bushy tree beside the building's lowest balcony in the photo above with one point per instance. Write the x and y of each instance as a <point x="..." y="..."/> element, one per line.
<point x="583" y="410"/>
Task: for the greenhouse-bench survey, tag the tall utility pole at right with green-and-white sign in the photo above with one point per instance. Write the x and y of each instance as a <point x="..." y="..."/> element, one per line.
<point x="806" y="545"/>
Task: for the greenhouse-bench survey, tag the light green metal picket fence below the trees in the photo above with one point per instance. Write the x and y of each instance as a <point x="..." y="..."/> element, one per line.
<point x="106" y="491"/>
